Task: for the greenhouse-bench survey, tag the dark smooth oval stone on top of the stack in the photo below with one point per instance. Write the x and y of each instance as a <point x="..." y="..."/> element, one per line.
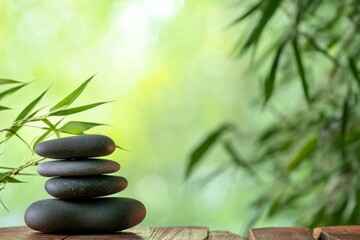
<point x="76" y="147"/>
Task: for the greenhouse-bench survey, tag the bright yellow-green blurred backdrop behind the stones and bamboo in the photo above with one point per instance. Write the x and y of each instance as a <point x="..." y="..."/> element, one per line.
<point x="168" y="66"/>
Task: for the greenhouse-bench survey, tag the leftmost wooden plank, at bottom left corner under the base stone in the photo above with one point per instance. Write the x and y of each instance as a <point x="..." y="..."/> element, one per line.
<point x="25" y="233"/>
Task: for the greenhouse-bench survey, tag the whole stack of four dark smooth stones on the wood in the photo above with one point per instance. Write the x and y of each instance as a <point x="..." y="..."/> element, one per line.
<point x="78" y="183"/>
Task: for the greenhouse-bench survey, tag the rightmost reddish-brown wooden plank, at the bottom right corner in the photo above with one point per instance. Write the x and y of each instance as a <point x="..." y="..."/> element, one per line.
<point x="338" y="233"/>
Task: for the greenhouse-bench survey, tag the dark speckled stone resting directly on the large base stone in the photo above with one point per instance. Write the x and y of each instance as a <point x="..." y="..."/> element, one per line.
<point x="84" y="187"/>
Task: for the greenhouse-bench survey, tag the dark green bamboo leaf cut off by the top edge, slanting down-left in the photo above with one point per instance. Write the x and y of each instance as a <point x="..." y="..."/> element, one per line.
<point x="269" y="10"/>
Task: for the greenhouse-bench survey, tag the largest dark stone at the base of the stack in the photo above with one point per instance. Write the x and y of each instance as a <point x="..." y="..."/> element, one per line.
<point x="95" y="215"/>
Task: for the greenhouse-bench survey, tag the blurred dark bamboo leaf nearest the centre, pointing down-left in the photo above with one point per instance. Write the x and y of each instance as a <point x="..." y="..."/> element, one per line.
<point x="197" y="155"/>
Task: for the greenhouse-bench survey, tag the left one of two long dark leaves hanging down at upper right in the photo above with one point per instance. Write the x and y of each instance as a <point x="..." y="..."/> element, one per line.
<point x="270" y="80"/>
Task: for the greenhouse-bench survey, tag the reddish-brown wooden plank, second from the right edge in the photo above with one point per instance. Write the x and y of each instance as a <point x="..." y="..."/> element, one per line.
<point x="280" y="234"/>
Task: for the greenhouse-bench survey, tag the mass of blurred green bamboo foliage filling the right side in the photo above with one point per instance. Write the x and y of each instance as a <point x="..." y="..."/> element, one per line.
<point x="308" y="155"/>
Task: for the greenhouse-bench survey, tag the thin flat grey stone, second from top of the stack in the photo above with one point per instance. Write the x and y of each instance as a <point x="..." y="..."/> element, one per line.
<point x="82" y="167"/>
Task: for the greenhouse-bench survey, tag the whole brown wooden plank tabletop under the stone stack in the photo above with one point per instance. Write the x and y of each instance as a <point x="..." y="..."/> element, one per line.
<point x="194" y="233"/>
